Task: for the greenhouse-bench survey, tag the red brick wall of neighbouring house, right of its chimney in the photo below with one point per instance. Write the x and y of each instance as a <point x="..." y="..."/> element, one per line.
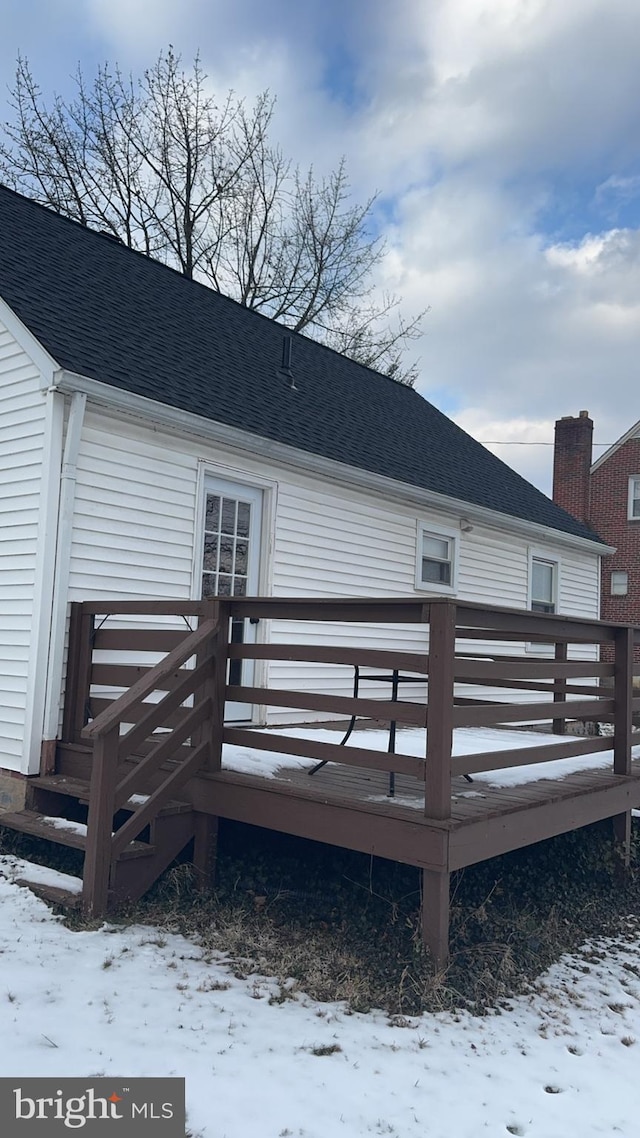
<point x="610" y="505"/>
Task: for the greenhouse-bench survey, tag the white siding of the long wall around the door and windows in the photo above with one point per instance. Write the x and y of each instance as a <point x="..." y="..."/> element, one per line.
<point x="137" y="535"/>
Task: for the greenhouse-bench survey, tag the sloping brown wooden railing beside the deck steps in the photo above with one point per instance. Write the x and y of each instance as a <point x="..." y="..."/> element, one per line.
<point x="169" y="712"/>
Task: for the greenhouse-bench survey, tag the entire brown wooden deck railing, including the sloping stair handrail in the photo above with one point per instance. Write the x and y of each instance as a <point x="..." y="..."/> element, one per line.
<point x="481" y="670"/>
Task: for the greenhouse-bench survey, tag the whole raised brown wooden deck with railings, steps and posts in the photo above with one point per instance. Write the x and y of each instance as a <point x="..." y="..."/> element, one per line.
<point x="140" y="737"/>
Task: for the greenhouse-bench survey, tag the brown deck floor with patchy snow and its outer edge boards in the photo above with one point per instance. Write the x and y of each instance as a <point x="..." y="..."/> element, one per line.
<point x="486" y="821"/>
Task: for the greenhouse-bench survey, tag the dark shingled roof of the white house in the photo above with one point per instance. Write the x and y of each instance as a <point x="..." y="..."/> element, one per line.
<point x="111" y="315"/>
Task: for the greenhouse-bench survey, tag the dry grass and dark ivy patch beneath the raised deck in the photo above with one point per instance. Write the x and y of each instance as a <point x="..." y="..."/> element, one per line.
<point x="343" y="927"/>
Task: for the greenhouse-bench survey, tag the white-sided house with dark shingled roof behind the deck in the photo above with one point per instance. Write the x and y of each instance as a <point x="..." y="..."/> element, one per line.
<point x="159" y="441"/>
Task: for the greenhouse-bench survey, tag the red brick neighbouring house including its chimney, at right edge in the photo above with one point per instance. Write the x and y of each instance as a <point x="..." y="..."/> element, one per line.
<point x="606" y="496"/>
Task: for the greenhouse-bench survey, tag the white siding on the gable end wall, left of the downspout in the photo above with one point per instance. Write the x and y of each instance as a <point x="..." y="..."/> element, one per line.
<point x="22" y="440"/>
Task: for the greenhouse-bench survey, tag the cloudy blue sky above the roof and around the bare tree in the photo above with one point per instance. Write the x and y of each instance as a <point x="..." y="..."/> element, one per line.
<point x="504" y="138"/>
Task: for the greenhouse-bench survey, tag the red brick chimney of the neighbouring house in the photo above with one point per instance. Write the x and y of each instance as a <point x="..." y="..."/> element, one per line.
<point x="572" y="465"/>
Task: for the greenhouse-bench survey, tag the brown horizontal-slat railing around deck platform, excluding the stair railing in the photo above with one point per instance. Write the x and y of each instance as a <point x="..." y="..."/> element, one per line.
<point x="573" y="689"/>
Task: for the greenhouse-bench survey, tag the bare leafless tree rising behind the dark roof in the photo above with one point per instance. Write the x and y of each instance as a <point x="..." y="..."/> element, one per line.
<point x="196" y="184"/>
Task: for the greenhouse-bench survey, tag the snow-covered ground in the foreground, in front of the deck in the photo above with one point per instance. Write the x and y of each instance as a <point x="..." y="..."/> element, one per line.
<point x="140" y="1002"/>
